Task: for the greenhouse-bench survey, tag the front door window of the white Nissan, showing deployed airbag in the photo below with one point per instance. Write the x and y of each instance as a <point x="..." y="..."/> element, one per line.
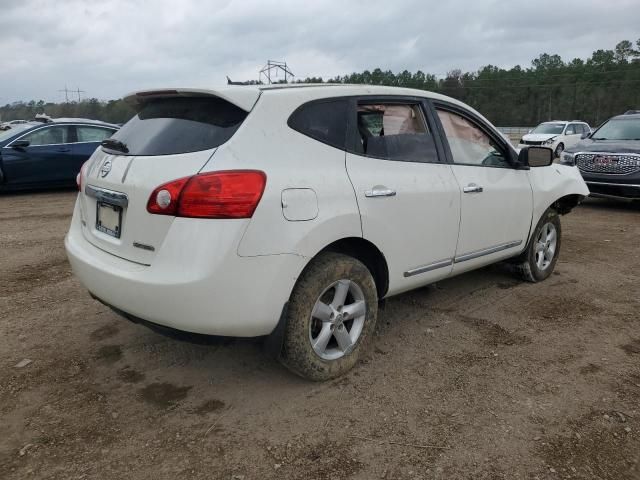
<point x="469" y="144"/>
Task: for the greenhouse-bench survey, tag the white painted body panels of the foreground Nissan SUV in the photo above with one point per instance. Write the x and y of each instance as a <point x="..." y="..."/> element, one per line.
<point x="233" y="277"/>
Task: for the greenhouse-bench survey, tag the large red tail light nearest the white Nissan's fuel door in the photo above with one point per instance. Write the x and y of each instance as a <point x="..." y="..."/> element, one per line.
<point x="224" y="194"/>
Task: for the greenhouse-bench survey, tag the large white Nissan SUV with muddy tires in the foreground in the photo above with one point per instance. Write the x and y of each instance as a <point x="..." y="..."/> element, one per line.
<point x="290" y="211"/>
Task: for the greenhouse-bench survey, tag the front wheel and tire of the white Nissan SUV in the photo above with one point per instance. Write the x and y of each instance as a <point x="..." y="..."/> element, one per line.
<point x="528" y="265"/>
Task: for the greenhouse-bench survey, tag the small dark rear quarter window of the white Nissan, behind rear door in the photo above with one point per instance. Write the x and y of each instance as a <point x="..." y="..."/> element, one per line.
<point x="324" y="120"/>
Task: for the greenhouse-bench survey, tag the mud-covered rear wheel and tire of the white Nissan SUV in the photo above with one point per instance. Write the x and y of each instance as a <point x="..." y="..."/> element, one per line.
<point x="316" y="283"/>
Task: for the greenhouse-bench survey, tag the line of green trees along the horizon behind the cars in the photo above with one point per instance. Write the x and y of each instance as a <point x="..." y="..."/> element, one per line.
<point x="605" y="84"/>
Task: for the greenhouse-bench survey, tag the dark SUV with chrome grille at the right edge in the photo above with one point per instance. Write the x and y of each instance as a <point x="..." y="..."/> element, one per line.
<point x="609" y="159"/>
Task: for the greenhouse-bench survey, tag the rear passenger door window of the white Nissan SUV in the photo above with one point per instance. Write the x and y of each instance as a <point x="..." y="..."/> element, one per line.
<point x="394" y="132"/>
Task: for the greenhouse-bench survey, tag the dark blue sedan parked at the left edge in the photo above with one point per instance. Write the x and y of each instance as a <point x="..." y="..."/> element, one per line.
<point x="42" y="155"/>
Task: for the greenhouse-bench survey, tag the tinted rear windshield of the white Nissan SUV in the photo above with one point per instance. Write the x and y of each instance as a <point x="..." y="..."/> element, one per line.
<point x="166" y="126"/>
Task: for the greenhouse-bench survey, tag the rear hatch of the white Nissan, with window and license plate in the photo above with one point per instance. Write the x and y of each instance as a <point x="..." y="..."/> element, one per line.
<point x="173" y="135"/>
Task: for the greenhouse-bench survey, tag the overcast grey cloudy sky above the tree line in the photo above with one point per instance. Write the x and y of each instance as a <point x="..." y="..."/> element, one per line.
<point x="111" y="47"/>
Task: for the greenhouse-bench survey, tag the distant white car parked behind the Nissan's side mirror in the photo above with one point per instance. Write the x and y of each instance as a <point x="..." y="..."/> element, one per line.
<point x="557" y="135"/>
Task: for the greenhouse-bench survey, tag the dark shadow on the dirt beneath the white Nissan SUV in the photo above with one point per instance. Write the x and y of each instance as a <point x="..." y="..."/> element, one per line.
<point x="230" y="358"/>
